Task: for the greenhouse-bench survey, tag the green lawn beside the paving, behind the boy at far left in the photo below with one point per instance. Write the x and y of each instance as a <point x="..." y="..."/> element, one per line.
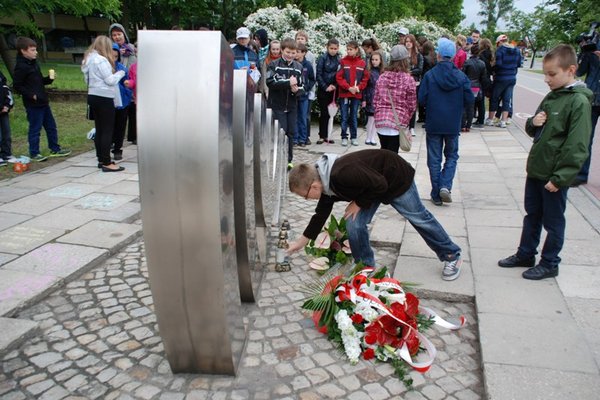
<point x="72" y="129"/>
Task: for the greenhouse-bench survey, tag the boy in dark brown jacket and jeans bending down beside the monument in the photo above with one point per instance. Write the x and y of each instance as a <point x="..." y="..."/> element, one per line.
<point x="366" y="179"/>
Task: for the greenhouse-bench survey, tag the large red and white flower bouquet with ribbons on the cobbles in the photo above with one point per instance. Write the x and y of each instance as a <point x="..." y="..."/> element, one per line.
<point x="370" y="315"/>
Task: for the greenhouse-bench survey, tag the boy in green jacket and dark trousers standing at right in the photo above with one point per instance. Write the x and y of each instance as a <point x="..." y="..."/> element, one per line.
<point x="561" y="133"/>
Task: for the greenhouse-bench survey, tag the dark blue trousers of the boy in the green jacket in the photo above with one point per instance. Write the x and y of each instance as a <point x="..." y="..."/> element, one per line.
<point x="545" y="209"/>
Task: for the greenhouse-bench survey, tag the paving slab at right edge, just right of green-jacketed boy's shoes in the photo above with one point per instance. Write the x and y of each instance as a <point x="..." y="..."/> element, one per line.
<point x="579" y="281"/>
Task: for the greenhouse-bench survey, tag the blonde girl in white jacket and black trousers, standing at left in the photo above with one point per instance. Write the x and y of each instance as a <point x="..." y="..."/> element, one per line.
<point x="98" y="68"/>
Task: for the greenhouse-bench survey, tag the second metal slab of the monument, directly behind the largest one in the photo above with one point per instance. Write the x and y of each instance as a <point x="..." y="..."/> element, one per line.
<point x="249" y="270"/>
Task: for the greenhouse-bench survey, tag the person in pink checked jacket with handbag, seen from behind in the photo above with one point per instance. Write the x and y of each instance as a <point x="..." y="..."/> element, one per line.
<point x="395" y="102"/>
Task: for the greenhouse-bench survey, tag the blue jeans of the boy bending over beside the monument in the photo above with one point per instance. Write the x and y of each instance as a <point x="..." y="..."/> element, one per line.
<point x="408" y="205"/>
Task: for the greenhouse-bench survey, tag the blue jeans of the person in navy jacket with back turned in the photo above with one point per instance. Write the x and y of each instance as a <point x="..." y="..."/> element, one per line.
<point x="441" y="177"/>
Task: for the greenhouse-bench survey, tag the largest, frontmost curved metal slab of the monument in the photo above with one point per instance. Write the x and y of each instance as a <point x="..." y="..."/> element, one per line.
<point x="186" y="185"/>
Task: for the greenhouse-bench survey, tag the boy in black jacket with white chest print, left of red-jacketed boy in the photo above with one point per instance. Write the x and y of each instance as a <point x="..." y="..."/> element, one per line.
<point x="284" y="79"/>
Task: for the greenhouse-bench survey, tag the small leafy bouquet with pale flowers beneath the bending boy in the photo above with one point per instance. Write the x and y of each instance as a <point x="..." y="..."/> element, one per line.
<point x="331" y="246"/>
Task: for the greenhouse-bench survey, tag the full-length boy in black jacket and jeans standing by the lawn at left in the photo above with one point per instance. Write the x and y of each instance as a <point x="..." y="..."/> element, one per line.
<point x="30" y="83"/>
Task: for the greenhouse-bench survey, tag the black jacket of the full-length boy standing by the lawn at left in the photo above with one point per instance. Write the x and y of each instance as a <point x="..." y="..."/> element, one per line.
<point x="29" y="82"/>
